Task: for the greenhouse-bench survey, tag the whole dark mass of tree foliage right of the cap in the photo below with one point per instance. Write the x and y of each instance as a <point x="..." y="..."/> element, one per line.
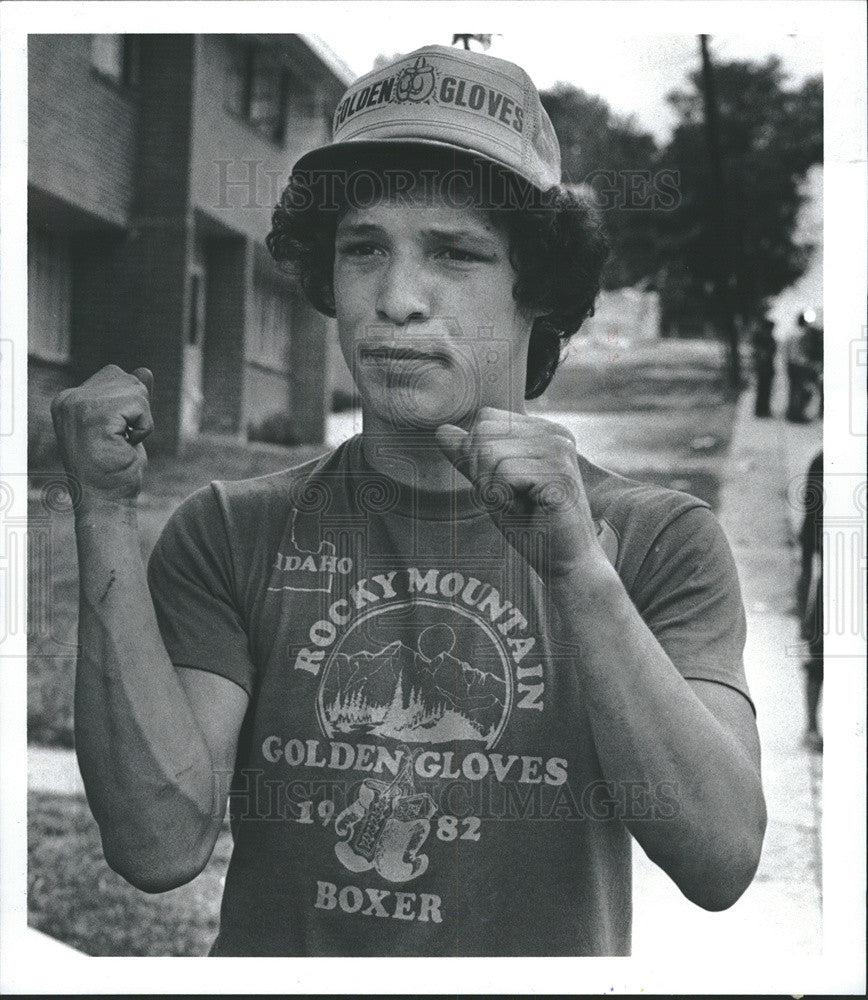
<point x="657" y="204"/>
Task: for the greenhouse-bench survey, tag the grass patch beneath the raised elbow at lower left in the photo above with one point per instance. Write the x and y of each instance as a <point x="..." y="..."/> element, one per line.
<point x="76" y="898"/>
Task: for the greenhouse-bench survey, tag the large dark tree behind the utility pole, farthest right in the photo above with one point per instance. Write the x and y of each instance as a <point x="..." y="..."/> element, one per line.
<point x="769" y="137"/>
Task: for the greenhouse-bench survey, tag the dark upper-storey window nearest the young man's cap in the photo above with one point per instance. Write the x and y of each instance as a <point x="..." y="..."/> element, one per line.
<point x="256" y="90"/>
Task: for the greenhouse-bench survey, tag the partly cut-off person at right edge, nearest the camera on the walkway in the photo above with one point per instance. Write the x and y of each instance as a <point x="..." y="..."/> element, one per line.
<point x="810" y="597"/>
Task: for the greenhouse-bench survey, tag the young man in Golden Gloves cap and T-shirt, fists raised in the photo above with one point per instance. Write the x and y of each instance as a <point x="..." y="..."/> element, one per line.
<point x="452" y="665"/>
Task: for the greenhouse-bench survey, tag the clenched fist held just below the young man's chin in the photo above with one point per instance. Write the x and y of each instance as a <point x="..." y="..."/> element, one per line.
<point x="528" y="467"/>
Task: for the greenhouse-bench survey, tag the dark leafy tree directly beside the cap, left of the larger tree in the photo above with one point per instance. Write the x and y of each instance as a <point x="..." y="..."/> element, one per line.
<point x="609" y="155"/>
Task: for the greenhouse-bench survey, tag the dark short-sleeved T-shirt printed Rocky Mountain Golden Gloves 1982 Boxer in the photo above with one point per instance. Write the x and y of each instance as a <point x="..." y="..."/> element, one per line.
<point x="416" y="773"/>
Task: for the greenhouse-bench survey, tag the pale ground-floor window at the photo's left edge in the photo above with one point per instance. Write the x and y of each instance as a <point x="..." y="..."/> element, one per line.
<point x="49" y="295"/>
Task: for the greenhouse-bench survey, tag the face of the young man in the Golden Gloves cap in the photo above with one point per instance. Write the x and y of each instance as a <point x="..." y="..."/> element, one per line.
<point x="426" y="317"/>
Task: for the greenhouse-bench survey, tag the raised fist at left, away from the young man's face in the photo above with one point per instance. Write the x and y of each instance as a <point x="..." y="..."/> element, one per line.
<point x="100" y="426"/>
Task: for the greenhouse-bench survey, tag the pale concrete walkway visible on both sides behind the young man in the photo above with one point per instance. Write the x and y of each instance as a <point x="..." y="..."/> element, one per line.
<point x="781" y="912"/>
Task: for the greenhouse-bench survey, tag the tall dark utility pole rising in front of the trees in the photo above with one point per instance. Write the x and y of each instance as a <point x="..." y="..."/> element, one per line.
<point x="717" y="216"/>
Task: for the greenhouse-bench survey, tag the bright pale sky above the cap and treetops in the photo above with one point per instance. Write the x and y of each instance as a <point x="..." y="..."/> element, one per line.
<point x="632" y="73"/>
